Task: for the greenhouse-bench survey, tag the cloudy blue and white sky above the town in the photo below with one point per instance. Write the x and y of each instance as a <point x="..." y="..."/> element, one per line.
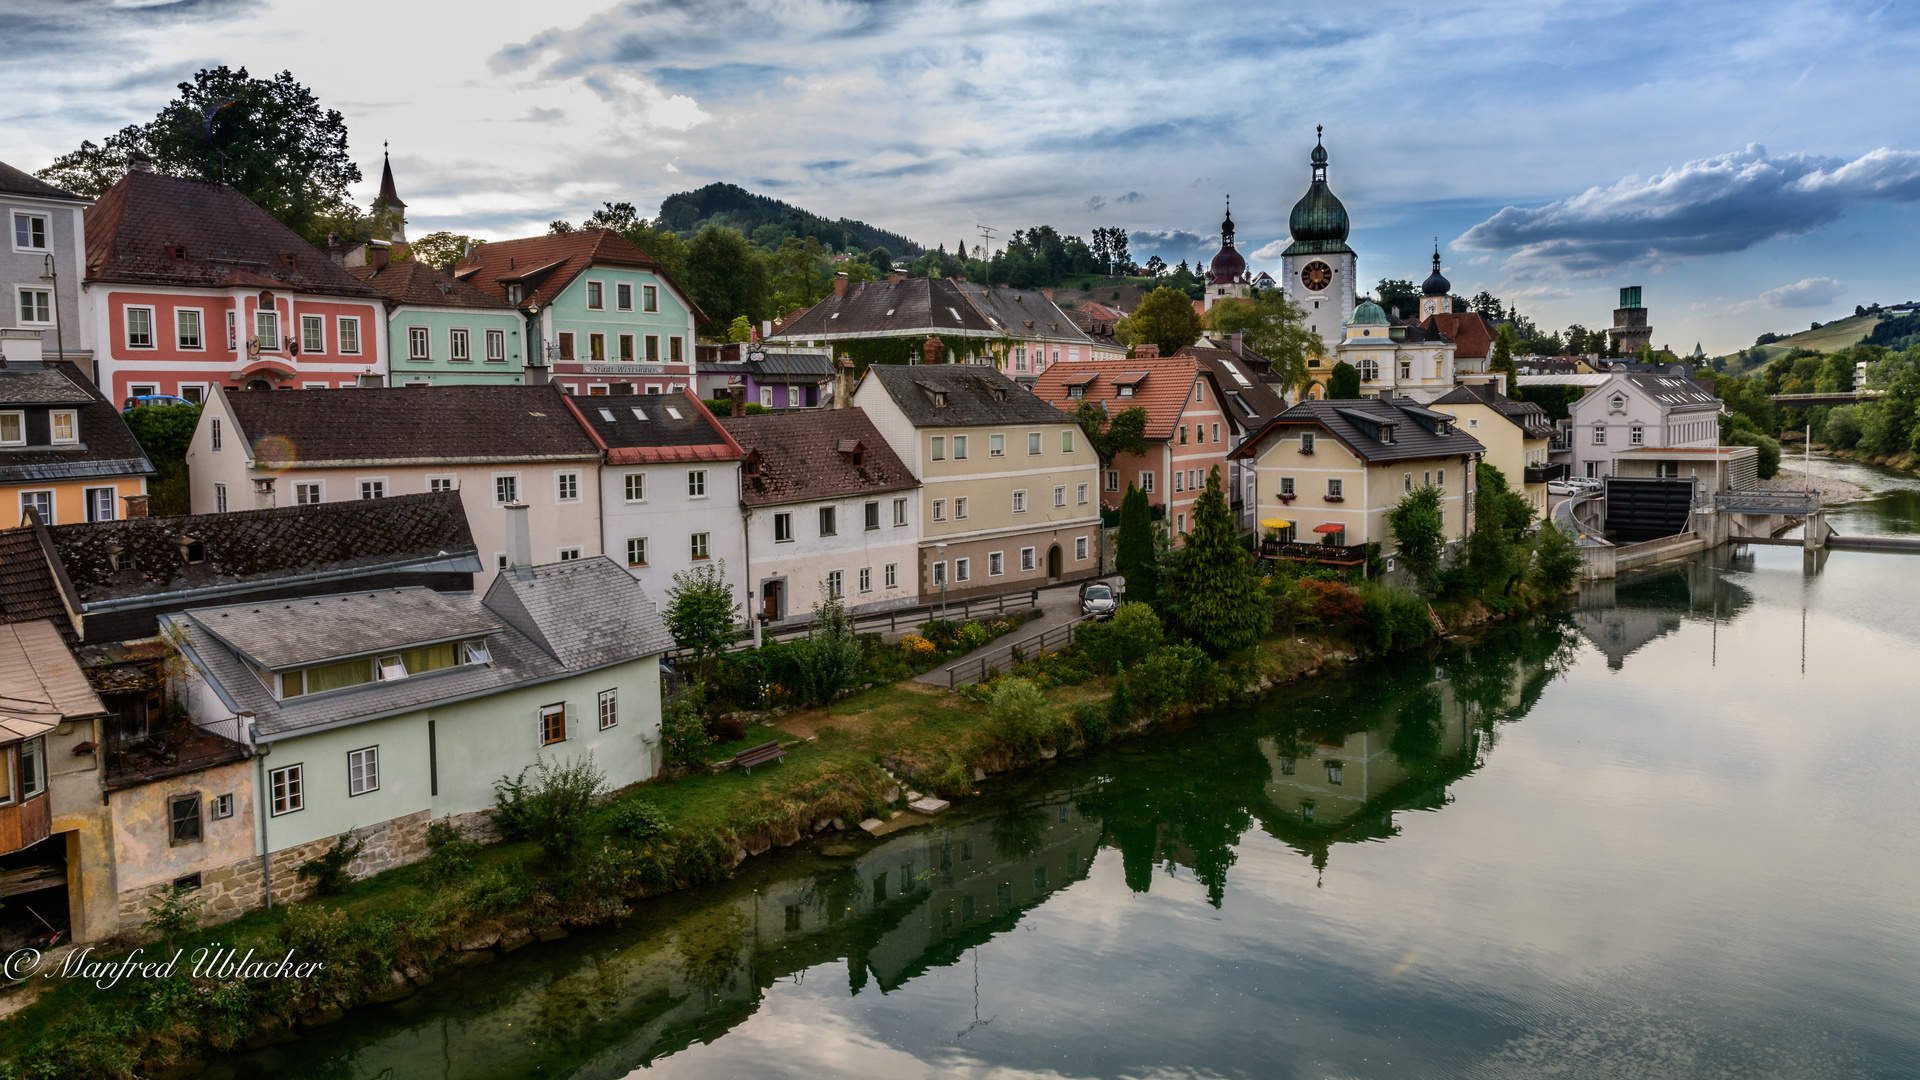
<point x="1754" y="166"/>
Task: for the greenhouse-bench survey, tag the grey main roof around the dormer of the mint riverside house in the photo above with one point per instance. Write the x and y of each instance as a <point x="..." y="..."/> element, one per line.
<point x="587" y="614"/>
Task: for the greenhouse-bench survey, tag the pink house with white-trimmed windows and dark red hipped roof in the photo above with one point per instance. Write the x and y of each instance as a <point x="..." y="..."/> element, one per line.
<point x="191" y="287"/>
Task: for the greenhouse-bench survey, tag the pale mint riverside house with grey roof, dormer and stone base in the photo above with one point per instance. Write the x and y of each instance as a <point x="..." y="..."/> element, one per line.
<point x="383" y="712"/>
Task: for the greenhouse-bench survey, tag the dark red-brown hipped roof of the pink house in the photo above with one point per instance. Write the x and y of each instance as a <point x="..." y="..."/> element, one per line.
<point x="224" y="239"/>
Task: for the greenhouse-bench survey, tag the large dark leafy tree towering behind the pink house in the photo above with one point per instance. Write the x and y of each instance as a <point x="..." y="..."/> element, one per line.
<point x="270" y="139"/>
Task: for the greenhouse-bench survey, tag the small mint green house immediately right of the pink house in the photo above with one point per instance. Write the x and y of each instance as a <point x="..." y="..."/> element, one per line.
<point x="444" y="331"/>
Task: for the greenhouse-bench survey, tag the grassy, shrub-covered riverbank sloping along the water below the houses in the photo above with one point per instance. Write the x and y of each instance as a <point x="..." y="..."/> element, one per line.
<point x="387" y="937"/>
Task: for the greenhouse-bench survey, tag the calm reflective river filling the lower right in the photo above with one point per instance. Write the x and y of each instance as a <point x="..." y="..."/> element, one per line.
<point x="1666" y="833"/>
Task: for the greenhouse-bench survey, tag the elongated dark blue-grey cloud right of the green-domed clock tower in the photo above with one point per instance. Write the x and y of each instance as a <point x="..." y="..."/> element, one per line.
<point x="1702" y="209"/>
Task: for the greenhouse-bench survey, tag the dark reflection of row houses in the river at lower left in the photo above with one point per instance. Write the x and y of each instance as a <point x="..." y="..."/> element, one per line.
<point x="913" y="902"/>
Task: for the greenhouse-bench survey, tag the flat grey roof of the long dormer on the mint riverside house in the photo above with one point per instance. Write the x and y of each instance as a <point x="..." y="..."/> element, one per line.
<point x="320" y="629"/>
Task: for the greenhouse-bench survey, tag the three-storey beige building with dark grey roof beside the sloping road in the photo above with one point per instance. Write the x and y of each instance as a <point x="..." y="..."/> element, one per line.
<point x="1007" y="497"/>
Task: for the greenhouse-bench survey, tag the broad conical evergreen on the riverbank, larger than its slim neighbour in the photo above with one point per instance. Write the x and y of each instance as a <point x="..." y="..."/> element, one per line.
<point x="1220" y="601"/>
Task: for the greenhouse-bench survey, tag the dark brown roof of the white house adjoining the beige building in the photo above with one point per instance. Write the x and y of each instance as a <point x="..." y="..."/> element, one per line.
<point x="800" y="456"/>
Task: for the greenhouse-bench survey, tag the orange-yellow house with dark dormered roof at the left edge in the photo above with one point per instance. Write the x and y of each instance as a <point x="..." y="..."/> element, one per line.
<point x="70" y="456"/>
